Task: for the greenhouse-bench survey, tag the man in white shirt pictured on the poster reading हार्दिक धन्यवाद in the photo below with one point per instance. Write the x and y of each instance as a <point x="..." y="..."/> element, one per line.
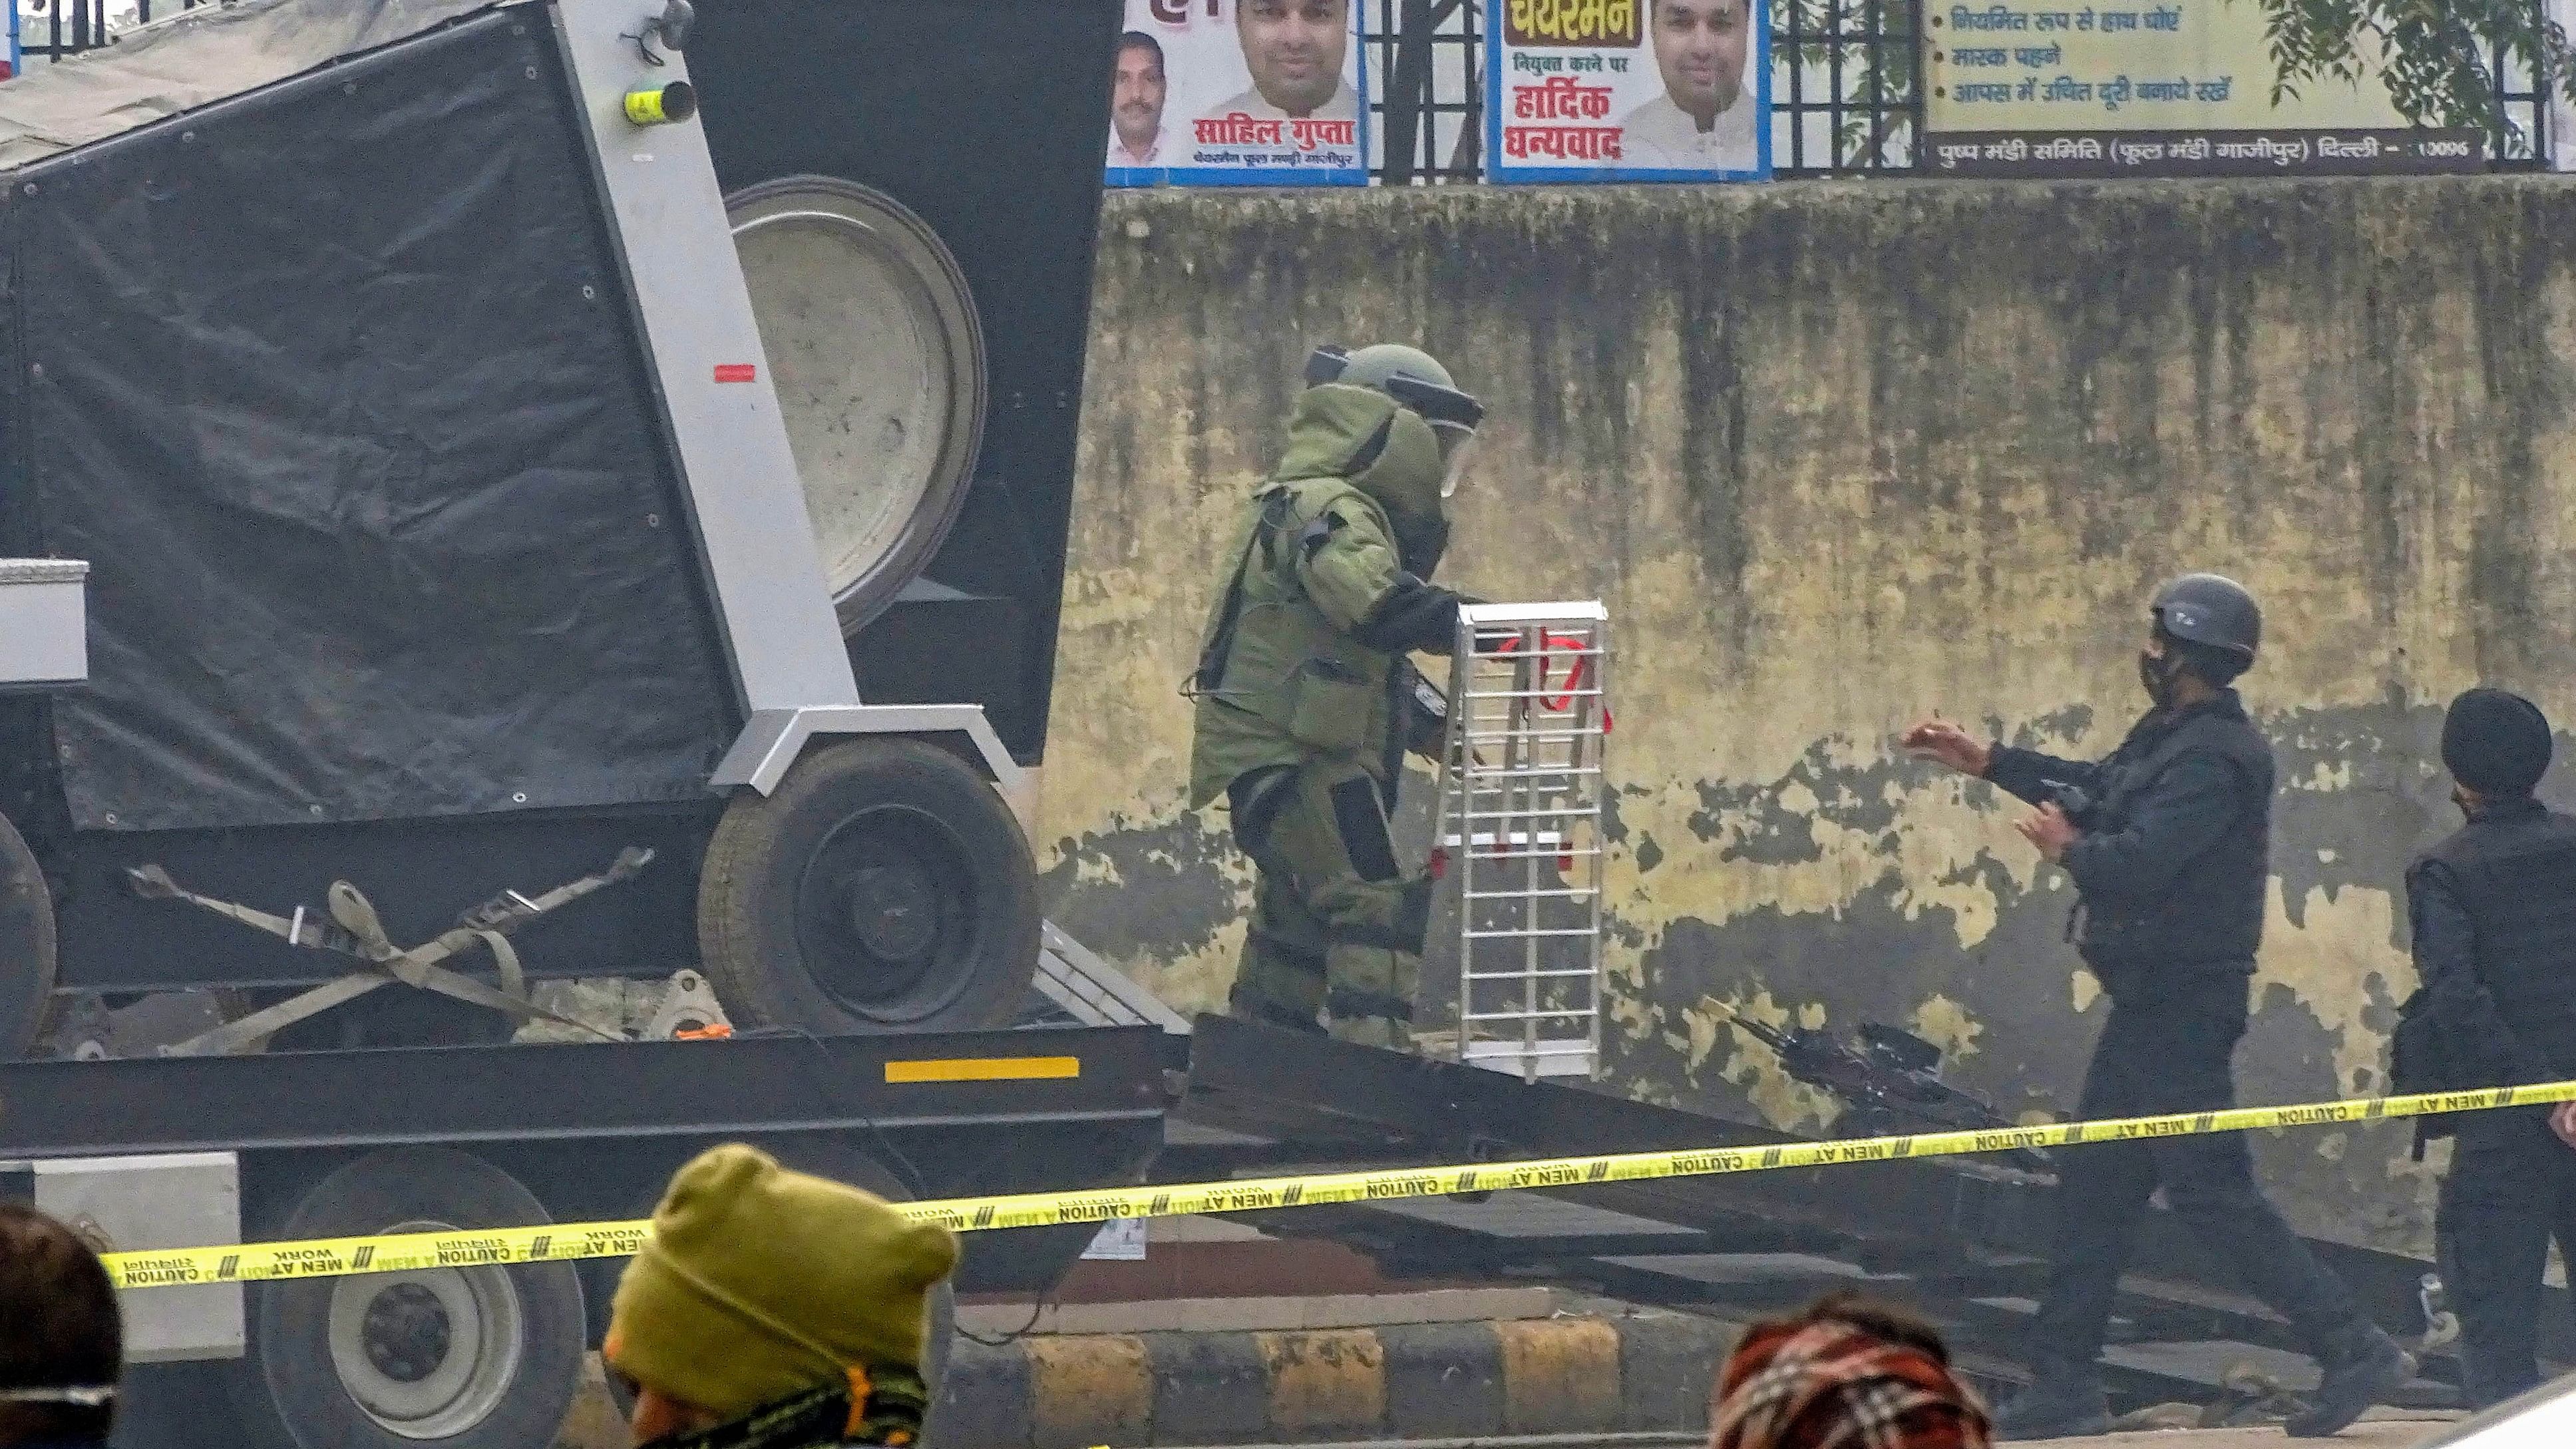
<point x="1707" y="115"/>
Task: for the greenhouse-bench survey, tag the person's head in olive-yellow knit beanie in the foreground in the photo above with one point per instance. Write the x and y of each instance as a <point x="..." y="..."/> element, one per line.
<point x="777" y="1311"/>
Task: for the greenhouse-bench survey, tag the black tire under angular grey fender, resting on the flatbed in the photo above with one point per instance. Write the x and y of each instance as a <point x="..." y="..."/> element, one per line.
<point x="882" y="888"/>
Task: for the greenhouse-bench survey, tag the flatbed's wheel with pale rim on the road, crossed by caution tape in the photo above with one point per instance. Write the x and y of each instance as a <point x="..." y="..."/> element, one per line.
<point x="437" y="1357"/>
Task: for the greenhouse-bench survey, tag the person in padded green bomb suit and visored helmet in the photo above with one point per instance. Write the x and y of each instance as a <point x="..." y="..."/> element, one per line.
<point x="1307" y="700"/>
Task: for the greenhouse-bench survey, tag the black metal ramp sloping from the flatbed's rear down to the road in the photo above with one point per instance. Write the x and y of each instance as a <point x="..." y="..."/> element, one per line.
<point x="1954" y="1239"/>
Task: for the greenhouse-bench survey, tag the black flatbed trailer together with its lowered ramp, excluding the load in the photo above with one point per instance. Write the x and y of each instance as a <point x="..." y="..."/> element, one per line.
<point x="341" y="1143"/>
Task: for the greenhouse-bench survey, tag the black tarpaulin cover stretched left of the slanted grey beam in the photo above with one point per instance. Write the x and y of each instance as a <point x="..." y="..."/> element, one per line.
<point x="336" y="391"/>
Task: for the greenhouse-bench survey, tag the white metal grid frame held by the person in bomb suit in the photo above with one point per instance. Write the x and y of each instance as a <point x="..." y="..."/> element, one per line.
<point x="1521" y="826"/>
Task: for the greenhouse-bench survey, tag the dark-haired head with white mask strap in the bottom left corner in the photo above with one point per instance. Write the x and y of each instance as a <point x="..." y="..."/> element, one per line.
<point x="61" y="1337"/>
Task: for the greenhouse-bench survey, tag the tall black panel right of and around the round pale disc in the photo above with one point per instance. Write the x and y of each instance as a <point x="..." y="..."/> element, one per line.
<point x="985" y="117"/>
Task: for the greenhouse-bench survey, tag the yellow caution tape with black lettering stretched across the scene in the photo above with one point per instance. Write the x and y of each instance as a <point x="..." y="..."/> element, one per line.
<point x="568" y="1241"/>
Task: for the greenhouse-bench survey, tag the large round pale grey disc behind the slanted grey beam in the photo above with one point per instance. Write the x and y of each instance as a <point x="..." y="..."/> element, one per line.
<point x="880" y="367"/>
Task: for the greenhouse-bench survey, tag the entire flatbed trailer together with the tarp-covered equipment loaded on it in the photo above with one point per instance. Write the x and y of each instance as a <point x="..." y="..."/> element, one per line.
<point x="573" y="501"/>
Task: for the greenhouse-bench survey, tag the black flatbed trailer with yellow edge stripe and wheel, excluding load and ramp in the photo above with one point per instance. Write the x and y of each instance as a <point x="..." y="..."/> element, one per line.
<point x="151" y="1154"/>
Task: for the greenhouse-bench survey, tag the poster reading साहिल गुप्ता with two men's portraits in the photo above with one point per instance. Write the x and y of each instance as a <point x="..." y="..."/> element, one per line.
<point x="1240" y="94"/>
